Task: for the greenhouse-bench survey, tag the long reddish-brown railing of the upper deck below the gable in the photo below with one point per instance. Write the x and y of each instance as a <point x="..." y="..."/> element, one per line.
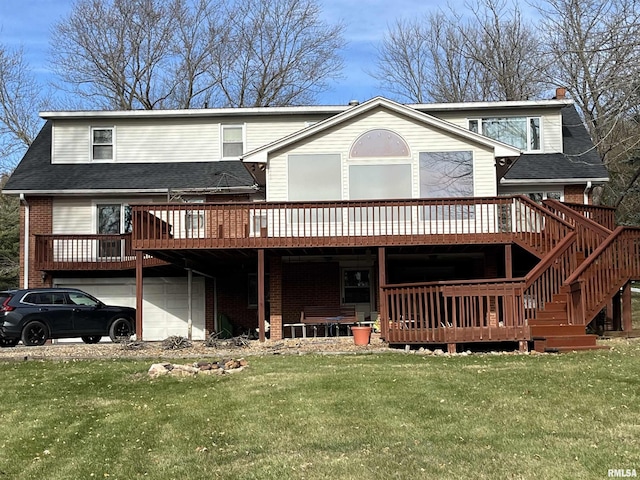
<point x="347" y="223"/>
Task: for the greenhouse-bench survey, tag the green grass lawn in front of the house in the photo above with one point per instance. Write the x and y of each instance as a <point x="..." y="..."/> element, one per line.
<point x="377" y="416"/>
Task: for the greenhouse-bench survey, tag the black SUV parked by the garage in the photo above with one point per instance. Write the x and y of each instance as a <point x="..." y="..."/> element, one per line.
<point x="38" y="314"/>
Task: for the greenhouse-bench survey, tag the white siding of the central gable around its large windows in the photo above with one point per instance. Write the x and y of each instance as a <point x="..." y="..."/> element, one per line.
<point x="419" y="138"/>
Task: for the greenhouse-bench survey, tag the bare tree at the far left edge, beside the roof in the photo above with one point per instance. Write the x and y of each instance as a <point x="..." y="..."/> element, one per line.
<point x="20" y="99"/>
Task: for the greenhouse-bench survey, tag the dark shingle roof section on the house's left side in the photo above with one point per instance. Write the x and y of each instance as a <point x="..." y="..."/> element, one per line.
<point x="36" y="173"/>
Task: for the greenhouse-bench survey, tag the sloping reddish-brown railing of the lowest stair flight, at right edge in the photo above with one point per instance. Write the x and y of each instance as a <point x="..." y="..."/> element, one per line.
<point x="612" y="264"/>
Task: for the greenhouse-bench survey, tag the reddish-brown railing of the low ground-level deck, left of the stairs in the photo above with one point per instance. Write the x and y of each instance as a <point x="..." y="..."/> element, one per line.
<point x="453" y="312"/>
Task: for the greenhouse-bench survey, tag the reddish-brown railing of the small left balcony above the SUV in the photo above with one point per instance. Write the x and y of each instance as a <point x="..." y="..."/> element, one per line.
<point x="86" y="252"/>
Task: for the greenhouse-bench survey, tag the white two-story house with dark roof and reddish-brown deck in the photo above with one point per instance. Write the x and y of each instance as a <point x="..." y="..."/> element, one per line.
<point x="428" y="217"/>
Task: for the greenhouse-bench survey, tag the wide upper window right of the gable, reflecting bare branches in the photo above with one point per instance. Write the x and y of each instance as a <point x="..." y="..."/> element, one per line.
<point x="520" y="132"/>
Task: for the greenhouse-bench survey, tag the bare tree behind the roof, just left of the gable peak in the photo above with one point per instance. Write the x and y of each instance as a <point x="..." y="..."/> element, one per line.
<point x="276" y="52"/>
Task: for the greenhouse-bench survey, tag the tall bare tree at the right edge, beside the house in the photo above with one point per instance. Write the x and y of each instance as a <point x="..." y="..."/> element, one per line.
<point x="594" y="46"/>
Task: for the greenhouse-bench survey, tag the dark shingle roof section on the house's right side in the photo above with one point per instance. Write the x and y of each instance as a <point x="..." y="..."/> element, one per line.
<point x="579" y="160"/>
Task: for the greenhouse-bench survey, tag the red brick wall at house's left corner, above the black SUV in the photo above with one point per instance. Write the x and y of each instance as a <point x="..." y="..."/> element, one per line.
<point x="40" y="222"/>
